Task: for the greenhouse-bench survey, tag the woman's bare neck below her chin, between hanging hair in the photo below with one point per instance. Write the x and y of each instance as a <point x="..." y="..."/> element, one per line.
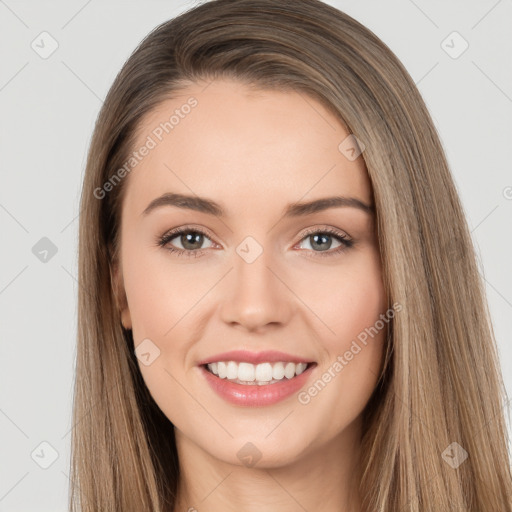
<point x="325" y="477"/>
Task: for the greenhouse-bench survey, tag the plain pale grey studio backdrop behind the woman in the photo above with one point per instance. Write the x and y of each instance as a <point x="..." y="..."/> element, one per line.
<point x="58" y="60"/>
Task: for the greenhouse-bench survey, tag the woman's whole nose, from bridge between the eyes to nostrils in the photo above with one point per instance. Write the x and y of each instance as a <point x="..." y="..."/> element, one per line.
<point x="256" y="296"/>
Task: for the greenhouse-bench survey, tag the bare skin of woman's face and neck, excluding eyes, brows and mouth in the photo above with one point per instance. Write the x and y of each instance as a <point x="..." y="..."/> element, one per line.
<point x="254" y="152"/>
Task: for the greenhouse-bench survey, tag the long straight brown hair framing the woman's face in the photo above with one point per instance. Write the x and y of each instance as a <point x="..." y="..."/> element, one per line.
<point x="441" y="382"/>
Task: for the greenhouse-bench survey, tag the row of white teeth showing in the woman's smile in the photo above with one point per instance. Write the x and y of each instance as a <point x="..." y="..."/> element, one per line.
<point x="260" y="374"/>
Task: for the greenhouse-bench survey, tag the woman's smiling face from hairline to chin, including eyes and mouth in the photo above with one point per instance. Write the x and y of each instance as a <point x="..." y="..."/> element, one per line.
<point x="277" y="282"/>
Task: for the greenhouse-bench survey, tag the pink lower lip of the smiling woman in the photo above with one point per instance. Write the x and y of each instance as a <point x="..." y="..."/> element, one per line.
<point x="255" y="395"/>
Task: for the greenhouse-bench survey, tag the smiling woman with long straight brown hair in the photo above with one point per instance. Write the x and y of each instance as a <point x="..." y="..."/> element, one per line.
<point x="227" y="360"/>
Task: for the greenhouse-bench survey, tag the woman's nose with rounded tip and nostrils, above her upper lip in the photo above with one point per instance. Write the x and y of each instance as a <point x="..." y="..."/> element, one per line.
<point x="256" y="295"/>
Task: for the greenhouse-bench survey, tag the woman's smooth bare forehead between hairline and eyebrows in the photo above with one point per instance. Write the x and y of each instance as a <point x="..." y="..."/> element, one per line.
<point x="243" y="146"/>
